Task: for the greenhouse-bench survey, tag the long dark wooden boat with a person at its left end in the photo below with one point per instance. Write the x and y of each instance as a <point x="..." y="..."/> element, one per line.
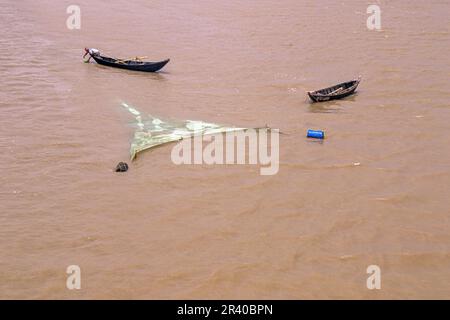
<point x="135" y="64"/>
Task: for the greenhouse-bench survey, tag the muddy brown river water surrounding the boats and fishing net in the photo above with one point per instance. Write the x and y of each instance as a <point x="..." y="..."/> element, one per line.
<point x="167" y="231"/>
